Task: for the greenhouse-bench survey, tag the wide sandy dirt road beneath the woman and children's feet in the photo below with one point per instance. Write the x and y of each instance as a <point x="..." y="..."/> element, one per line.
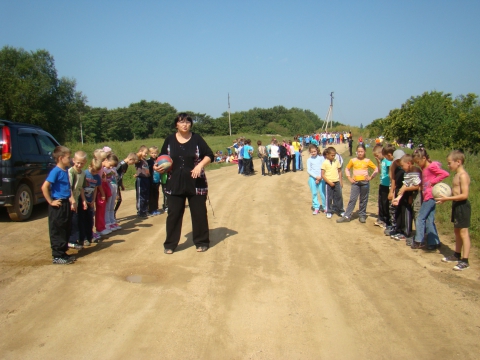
<point x="277" y="283"/>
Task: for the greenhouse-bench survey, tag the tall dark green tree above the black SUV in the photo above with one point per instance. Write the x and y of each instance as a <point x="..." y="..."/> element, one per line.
<point x="31" y="92"/>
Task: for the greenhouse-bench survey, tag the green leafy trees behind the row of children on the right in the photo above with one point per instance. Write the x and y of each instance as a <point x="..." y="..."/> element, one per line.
<point x="434" y="119"/>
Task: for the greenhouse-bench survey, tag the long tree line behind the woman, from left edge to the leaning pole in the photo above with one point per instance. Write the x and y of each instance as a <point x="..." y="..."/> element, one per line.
<point x="32" y="92"/>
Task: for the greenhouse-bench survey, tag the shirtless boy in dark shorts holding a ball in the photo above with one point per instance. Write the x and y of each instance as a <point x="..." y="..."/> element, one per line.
<point x="461" y="210"/>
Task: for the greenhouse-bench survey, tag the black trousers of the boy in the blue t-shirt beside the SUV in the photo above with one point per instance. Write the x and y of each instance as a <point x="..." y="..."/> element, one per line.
<point x="59" y="224"/>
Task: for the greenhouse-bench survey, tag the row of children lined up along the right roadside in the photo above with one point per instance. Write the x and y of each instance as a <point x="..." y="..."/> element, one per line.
<point x="404" y="195"/>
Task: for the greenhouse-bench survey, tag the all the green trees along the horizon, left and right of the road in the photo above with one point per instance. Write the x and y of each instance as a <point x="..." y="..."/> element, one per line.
<point x="32" y="92"/>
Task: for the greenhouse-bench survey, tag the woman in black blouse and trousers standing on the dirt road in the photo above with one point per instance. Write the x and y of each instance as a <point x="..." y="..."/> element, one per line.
<point x="187" y="180"/>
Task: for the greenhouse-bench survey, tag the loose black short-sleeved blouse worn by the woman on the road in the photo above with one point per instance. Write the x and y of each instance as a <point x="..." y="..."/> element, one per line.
<point x="185" y="157"/>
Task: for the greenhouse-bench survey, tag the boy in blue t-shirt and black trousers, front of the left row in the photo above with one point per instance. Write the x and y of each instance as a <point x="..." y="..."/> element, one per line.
<point x="56" y="190"/>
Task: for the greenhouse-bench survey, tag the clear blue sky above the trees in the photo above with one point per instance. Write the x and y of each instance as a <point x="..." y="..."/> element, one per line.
<point x="373" y="54"/>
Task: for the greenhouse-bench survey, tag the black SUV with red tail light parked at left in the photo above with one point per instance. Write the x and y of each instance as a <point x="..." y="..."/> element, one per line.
<point x="26" y="161"/>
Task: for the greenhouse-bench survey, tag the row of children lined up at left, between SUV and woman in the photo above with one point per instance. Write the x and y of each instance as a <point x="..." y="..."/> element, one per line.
<point x="81" y="200"/>
